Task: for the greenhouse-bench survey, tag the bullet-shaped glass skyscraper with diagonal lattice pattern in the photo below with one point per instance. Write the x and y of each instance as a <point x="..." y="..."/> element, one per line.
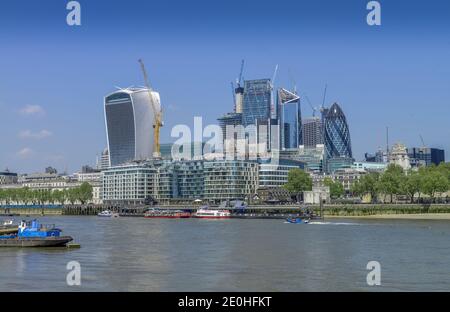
<point x="336" y="133"/>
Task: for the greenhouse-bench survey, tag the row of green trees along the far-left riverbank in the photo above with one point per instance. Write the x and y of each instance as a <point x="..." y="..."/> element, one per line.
<point x="81" y="194"/>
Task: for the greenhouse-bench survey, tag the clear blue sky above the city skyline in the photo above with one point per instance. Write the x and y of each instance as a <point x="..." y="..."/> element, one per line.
<point x="53" y="77"/>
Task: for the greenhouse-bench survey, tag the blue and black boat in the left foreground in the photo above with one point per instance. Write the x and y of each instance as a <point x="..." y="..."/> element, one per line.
<point x="34" y="234"/>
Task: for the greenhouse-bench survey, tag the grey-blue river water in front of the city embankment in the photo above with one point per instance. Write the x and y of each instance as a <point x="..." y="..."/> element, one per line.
<point x="137" y="254"/>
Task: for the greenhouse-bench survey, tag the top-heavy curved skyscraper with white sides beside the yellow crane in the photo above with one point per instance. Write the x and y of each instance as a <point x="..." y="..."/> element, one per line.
<point x="129" y="122"/>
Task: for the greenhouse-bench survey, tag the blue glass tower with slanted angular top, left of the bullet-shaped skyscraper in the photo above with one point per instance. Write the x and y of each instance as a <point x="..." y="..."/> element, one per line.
<point x="290" y="119"/>
